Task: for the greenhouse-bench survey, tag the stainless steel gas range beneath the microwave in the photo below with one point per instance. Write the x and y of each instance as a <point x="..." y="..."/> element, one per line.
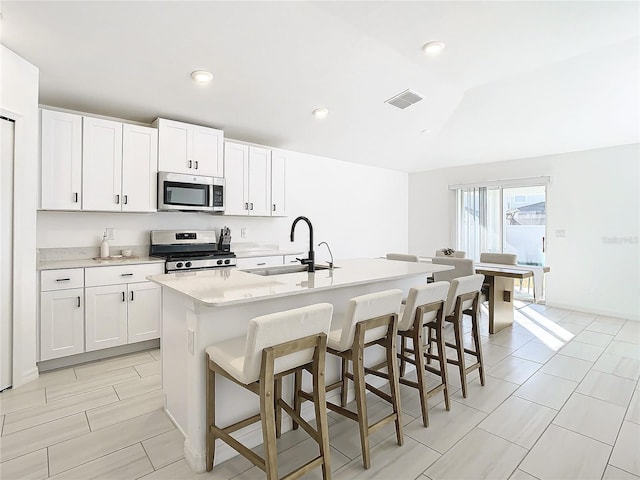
<point x="192" y="249"/>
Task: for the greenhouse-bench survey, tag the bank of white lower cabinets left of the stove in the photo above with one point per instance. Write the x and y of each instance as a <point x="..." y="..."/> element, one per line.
<point x="87" y="309"/>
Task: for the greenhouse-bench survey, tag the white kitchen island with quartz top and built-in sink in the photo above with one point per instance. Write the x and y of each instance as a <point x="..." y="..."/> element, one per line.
<point x="205" y="307"/>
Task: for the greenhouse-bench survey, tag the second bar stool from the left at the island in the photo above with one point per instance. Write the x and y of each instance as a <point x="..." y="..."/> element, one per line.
<point x="370" y="319"/>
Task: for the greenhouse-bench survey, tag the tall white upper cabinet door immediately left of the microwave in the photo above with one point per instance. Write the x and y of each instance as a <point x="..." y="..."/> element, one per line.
<point x="139" y="168"/>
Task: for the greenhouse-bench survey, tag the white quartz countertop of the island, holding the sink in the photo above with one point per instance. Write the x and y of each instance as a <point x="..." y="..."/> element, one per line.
<point x="230" y="286"/>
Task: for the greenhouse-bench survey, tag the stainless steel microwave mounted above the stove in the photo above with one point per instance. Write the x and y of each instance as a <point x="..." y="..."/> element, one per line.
<point x="190" y="193"/>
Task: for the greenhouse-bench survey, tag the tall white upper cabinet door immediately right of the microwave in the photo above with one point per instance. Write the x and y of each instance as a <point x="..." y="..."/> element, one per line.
<point x="236" y="164"/>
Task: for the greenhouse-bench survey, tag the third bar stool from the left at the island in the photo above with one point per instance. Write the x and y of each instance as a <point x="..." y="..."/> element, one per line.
<point x="424" y="308"/>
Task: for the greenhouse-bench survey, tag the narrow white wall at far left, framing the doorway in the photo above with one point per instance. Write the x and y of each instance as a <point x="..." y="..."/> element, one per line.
<point x="19" y="101"/>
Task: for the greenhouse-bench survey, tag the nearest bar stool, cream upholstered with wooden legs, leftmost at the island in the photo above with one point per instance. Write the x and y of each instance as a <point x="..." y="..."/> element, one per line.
<point x="276" y="345"/>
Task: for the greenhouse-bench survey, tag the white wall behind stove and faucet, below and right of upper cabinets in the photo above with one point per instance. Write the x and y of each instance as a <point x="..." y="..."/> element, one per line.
<point x="359" y="210"/>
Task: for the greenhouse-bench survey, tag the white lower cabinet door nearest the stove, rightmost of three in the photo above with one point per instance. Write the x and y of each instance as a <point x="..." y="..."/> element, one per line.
<point x="143" y="311"/>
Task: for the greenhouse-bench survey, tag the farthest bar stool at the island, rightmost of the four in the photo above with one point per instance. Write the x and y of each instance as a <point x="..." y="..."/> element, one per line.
<point x="462" y="298"/>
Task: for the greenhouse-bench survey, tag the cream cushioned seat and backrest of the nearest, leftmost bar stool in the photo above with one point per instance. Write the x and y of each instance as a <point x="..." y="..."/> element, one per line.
<point x="241" y="357"/>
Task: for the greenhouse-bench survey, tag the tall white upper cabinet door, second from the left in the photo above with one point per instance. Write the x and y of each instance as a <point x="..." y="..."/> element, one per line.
<point x="101" y="165"/>
